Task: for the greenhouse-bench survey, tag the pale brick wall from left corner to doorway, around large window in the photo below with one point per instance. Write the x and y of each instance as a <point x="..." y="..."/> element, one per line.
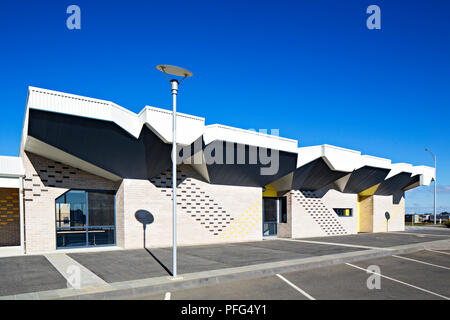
<point x="206" y="213"/>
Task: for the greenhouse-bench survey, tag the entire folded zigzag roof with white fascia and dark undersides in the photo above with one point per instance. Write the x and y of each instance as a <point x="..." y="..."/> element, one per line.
<point x="105" y="139"/>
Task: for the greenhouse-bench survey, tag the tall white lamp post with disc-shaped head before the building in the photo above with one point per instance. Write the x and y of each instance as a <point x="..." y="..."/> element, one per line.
<point x="180" y="72"/>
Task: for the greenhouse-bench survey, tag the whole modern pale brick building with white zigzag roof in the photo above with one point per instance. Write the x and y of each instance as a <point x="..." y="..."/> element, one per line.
<point x="88" y="168"/>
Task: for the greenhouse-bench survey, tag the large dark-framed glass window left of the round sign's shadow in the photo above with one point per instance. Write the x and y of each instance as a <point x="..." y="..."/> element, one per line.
<point x="85" y="218"/>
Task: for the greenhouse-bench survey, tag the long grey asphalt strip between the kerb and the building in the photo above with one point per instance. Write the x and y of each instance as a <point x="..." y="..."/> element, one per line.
<point x="137" y="264"/>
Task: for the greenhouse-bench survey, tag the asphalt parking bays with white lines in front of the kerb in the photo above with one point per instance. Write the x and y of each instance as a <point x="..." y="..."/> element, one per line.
<point x="424" y="275"/>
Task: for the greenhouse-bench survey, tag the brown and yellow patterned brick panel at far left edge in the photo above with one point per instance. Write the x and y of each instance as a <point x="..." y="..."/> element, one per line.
<point x="9" y="217"/>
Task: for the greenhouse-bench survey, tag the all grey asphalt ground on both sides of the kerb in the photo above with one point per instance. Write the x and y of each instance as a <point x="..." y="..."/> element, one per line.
<point x="417" y="275"/>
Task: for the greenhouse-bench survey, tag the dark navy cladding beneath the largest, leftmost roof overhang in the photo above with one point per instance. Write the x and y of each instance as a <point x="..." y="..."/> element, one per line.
<point x="102" y="144"/>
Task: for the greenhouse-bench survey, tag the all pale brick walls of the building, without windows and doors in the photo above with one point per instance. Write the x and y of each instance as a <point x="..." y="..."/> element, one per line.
<point x="207" y="213"/>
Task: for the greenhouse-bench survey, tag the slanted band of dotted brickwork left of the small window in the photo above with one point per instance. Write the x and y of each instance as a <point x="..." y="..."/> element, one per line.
<point x="321" y="214"/>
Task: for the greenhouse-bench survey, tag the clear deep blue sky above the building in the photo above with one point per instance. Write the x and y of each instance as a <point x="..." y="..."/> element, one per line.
<point x="310" y="68"/>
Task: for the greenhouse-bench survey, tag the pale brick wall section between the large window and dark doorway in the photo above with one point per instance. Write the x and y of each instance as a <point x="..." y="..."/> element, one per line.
<point x="202" y="207"/>
